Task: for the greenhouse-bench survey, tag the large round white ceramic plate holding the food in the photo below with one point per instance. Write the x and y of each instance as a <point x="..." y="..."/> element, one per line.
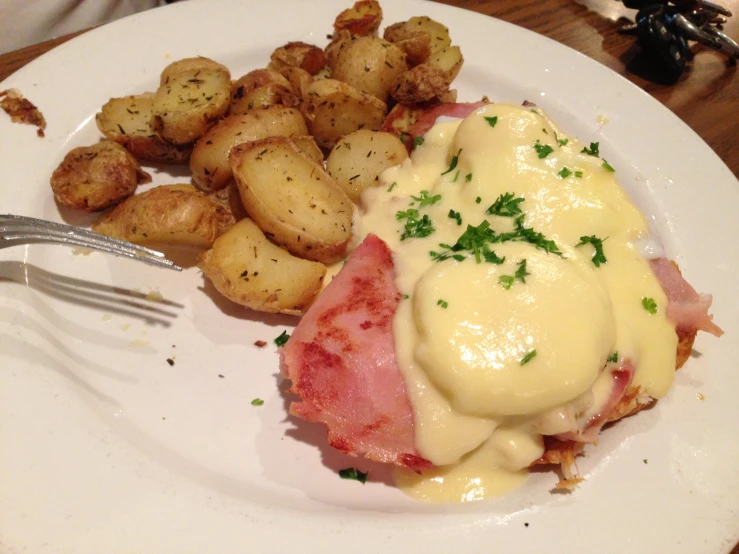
<point x="105" y="447"/>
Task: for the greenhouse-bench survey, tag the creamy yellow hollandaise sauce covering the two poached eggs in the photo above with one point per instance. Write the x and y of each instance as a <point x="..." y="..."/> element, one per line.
<point x="462" y="338"/>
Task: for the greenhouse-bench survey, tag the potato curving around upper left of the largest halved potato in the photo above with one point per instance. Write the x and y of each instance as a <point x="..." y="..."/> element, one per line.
<point x="209" y="159"/>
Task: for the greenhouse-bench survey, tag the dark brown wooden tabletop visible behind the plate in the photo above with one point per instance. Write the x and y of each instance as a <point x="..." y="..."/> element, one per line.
<point x="706" y="97"/>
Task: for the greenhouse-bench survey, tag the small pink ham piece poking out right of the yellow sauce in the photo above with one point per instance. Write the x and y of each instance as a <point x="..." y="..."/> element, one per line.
<point x="687" y="309"/>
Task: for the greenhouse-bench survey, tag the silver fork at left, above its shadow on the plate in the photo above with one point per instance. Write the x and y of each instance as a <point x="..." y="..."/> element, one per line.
<point x="16" y="230"/>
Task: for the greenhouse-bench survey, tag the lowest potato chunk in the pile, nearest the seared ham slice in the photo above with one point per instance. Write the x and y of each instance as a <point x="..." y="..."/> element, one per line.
<point x="248" y="269"/>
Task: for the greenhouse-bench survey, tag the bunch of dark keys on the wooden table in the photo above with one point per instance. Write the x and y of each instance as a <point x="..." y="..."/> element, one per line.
<point x="665" y="27"/>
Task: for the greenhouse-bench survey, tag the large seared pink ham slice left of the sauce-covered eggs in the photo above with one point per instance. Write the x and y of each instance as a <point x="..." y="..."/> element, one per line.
<point x="341" y="361"/>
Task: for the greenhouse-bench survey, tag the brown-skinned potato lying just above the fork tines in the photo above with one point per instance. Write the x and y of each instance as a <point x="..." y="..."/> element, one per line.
<point x="176" y="214"/>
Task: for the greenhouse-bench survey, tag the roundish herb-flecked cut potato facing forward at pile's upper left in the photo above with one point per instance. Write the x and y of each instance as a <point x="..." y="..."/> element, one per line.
<point x="190" y="103"/>
